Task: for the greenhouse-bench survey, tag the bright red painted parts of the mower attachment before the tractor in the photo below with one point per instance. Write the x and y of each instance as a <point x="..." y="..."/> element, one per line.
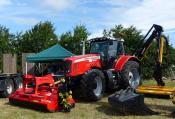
<point x="43" y="95"/>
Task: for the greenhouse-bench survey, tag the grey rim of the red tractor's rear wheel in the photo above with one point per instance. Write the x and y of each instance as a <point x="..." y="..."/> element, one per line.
<point x="134" y="78"/>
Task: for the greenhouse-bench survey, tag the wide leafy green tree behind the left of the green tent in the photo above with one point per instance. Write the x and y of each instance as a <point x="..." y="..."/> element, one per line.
<point x="40" y="37"/>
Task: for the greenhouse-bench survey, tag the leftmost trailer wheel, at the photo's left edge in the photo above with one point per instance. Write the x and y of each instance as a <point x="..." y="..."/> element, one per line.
<point x="9" y="88"/>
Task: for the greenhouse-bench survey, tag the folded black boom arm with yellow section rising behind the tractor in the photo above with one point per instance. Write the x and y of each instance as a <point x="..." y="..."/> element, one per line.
<point x="160" y="39"/>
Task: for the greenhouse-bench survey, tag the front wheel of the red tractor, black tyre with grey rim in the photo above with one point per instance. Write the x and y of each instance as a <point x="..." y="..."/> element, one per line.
<point x="93" y="85"/>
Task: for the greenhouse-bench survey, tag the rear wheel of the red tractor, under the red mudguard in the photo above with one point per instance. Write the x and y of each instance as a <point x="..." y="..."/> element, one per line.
<point x="130" y="75"/>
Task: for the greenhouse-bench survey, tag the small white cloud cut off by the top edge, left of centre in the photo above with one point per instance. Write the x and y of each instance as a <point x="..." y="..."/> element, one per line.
<point x="57" y="4"/>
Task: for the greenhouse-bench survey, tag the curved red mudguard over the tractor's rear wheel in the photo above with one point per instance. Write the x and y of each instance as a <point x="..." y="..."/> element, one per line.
<point x="122" y="61"/>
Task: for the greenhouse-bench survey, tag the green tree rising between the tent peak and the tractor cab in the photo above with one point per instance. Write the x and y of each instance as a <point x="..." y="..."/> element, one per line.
<point x="73" y="40"/>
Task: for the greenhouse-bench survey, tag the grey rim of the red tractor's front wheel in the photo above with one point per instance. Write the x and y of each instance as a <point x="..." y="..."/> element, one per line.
<point x="97" y="91"/>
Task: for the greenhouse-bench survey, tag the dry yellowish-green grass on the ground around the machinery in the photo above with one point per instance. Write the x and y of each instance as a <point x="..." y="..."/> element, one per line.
<point x="87" y="110"/>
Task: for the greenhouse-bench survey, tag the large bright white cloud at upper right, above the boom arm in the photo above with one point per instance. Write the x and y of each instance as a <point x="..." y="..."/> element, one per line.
<point x="147" y="13"/>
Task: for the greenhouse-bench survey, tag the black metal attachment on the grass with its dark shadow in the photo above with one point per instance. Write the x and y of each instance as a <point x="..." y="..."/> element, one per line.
<point x="127" y="101"/>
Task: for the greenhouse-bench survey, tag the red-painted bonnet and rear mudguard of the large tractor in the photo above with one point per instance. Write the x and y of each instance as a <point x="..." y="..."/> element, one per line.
<point x="83" y="64"/>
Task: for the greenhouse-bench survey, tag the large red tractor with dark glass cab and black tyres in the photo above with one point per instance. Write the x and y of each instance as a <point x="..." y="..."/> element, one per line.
<point x="106" y="67"/>
